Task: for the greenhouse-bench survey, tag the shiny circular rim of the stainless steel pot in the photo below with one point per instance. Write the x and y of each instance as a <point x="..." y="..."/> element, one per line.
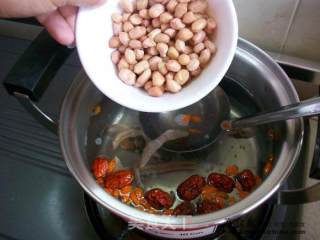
<point x="295" y="130"/>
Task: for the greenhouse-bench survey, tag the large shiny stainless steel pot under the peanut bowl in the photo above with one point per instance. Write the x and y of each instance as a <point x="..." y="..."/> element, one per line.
<point x="254" y="81"/>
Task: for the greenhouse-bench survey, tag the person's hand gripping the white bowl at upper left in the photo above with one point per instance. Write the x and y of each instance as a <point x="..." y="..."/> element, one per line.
<point x="57" y="16"/>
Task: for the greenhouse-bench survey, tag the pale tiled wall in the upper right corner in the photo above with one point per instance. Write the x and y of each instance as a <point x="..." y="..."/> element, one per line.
<point x="289" y="27"/>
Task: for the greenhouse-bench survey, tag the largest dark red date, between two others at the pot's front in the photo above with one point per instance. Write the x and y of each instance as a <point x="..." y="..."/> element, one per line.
<point x="191" y="188"/>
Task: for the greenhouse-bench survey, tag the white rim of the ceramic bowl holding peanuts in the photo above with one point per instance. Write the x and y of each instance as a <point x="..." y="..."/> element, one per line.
<point x="174" y="105"/>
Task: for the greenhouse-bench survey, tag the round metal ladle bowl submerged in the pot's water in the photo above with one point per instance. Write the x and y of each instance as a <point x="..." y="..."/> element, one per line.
<point x="209" y="111"/>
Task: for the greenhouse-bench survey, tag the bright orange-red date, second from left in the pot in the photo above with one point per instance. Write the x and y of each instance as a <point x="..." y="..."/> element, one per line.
<point x="119" y="179"/>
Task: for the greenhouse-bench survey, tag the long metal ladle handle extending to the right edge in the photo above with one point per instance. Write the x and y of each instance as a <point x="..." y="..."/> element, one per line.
<point x="307" y="108"/>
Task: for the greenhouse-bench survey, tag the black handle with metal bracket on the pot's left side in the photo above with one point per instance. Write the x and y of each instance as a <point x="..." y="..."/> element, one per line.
<point x="33" y="72"/>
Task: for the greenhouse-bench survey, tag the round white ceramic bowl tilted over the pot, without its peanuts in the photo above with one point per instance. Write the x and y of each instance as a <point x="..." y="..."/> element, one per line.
<point x="94" y="29"/>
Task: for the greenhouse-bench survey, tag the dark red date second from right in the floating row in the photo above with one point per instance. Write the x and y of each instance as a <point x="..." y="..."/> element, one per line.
<point x="222" y="182"/>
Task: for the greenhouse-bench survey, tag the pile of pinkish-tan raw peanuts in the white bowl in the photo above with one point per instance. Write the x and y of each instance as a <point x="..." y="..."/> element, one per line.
<point x="161" y="44"/>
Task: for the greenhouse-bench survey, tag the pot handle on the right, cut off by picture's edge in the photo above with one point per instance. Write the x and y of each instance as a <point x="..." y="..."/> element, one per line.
<point x="309" y="194"/>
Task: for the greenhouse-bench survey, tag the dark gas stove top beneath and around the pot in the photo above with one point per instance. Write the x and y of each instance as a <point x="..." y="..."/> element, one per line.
<point x="39" y="199"/>
